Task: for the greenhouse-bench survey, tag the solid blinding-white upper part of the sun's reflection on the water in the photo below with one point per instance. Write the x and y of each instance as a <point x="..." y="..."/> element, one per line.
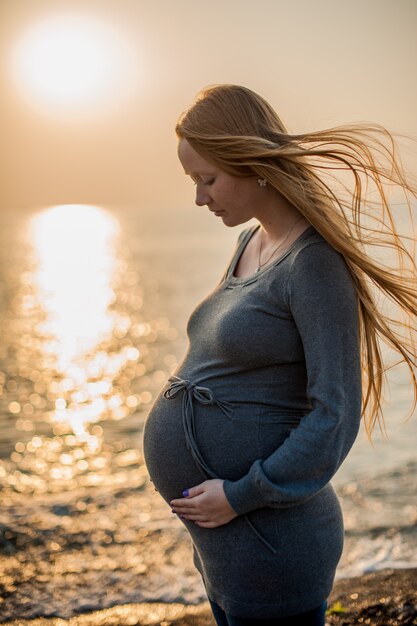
<point x="75" y="267"/>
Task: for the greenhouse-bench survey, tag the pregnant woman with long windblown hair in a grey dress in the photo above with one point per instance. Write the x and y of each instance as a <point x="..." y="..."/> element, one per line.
<point x="246" y="435"/>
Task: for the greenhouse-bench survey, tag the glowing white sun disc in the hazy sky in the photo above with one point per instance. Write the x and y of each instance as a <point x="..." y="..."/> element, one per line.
<point x="71" y="62"/>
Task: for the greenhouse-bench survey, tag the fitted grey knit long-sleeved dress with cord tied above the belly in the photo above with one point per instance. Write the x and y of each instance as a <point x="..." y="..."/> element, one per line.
<point x="268" y="398"/>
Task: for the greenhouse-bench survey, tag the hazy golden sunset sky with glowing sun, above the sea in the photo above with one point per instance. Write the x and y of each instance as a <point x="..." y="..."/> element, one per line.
<point x="91" y="89"/>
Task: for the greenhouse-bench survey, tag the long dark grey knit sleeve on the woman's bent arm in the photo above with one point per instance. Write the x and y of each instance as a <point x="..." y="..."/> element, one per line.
<point x="322" y="301"/>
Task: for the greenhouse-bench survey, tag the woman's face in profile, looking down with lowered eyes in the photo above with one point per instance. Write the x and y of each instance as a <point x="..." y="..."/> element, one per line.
<point x="232" y="198"/>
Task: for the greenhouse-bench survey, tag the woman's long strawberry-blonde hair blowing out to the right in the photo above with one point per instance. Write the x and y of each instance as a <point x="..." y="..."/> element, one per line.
<point x="330" y="176"/>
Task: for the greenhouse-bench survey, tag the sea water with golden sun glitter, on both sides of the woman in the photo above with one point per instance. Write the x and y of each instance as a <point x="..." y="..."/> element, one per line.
<point x="93" y="308"/>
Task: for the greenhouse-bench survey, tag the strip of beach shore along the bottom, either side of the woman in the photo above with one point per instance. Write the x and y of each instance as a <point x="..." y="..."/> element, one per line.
<point x="385" y="598"/>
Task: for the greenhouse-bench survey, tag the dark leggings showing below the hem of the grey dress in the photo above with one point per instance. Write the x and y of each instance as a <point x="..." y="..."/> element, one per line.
<point x="316" y="617"/>
